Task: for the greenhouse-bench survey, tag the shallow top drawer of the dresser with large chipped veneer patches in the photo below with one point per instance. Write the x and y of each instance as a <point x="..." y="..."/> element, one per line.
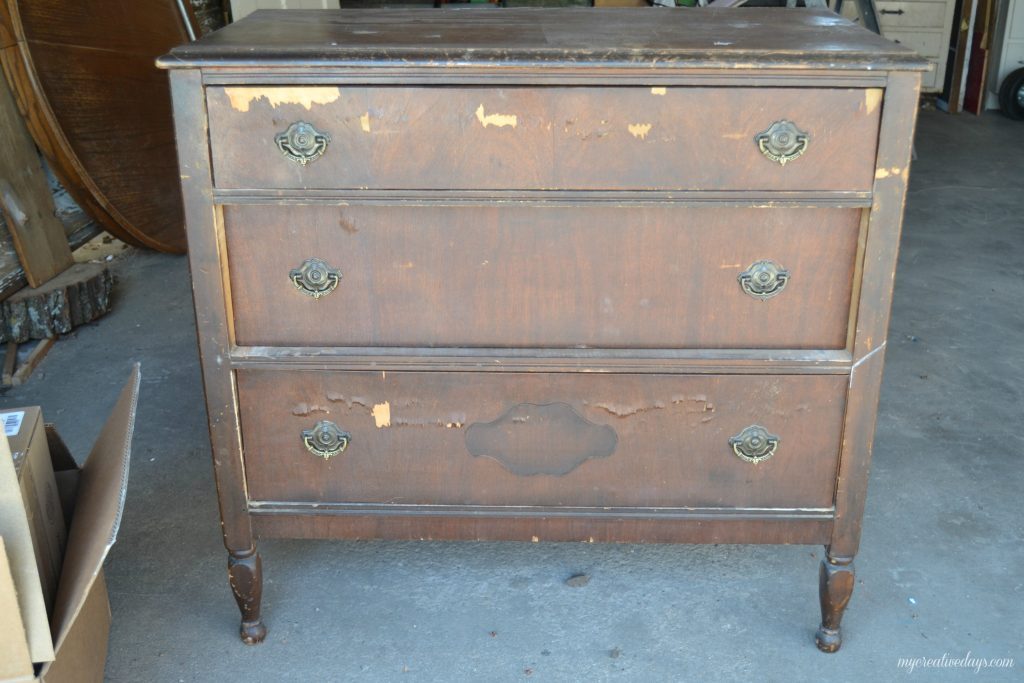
<point x="543" y="139"/>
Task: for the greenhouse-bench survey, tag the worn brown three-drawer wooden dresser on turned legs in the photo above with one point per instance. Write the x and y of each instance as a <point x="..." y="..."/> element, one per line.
<point x="542" y="275"/>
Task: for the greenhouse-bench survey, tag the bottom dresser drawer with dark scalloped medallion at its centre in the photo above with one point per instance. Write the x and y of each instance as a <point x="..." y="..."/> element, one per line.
<point x="541" y="440"/>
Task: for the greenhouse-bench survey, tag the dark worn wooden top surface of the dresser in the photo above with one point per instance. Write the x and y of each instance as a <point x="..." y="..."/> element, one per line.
<point x="646" y="38"/>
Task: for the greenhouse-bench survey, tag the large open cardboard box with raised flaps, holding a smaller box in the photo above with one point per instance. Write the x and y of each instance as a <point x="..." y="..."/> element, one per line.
<point x="71" y="646"/>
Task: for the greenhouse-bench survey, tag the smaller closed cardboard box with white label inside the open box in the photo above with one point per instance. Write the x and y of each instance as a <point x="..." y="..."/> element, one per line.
<point x="27" y="437"/>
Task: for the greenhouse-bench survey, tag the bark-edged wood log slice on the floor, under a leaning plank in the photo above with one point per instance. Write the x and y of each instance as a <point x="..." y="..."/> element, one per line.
<point x="79" y="295"/>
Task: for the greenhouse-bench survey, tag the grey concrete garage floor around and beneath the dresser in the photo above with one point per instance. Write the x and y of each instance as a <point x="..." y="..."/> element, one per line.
<point x="938" y="573"/>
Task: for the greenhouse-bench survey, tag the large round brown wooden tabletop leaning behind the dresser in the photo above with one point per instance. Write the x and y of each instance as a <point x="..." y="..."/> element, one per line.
<point x="84" y="78"/>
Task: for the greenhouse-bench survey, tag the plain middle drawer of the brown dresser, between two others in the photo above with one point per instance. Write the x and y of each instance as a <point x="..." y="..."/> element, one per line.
<point x="542" y="276"/>
